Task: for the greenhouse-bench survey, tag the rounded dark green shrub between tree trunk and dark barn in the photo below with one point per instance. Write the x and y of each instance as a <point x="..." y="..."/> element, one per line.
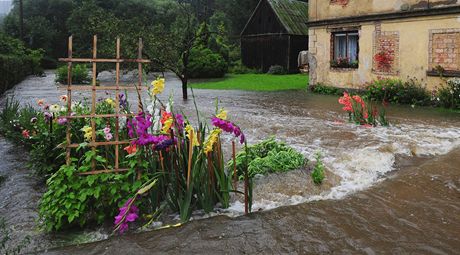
<point x="206" y="64"/>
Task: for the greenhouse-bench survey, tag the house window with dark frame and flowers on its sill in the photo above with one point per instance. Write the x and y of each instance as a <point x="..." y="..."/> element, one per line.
<point x="345" y="49"/>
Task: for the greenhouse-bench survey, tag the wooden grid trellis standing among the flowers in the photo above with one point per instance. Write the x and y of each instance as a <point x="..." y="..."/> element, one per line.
<point x="93" y="88"/>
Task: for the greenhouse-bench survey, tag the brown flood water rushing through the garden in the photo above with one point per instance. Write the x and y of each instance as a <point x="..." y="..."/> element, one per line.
<point x="389" y="189"/>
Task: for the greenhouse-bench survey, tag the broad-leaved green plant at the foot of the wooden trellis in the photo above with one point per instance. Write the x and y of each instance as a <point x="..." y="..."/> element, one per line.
<point x="72" y="199"/>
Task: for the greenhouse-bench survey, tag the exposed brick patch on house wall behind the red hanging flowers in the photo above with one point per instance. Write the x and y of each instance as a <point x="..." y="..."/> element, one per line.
<point x="387" y="44"/>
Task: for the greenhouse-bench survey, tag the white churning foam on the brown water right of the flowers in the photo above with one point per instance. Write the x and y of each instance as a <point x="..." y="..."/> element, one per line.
<point x="362" y="167"/>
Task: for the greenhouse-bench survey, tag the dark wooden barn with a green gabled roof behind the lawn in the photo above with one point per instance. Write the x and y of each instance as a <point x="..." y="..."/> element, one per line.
<point x="275" y="34"/>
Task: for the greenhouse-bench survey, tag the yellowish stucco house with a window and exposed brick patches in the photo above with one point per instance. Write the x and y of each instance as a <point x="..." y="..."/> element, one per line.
<point x="352" y="42"/>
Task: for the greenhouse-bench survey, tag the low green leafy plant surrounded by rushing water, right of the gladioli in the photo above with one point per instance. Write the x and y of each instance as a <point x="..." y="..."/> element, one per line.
<point x="267" y="157"/>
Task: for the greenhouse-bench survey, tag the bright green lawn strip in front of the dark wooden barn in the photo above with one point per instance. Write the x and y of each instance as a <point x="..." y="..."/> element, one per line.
<point x="256" y="82"/>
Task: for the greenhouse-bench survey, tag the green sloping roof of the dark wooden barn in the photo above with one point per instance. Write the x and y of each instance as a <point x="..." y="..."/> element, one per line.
<point x="292" y="14"/>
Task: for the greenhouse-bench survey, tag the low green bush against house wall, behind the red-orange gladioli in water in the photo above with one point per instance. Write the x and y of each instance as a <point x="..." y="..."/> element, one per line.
<point x="397" y="91"/>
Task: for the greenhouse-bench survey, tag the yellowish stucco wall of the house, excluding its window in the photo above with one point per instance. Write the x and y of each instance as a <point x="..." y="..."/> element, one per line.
<point x="418" y="44"/>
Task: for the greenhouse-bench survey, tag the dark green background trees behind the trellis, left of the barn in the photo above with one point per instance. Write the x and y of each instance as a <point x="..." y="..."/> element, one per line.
<point x="192" y="38"/>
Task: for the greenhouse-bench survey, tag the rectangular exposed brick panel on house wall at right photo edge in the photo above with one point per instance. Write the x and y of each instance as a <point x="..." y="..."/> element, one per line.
<point x="445" y="49"/>
